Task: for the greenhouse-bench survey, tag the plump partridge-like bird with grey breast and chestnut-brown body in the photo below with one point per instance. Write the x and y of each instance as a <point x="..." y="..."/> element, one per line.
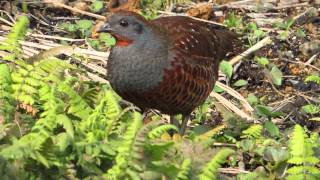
<point x="169" y="64"/>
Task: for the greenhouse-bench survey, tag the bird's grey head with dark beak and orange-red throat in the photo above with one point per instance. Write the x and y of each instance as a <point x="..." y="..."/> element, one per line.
<point x="126" y="27"/>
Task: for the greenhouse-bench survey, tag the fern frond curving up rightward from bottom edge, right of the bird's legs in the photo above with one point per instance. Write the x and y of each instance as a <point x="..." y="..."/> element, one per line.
<point x="210" y="169"/>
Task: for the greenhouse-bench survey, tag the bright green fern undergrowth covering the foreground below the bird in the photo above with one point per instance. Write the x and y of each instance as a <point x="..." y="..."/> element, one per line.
<point x="54" y="124"/>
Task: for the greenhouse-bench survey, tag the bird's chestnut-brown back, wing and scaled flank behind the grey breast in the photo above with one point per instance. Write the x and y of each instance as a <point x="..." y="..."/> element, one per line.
<point x="195" y="52"/>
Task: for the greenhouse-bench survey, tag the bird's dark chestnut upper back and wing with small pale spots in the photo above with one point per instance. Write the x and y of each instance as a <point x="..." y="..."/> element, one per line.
<point x="197" y="37"/>
